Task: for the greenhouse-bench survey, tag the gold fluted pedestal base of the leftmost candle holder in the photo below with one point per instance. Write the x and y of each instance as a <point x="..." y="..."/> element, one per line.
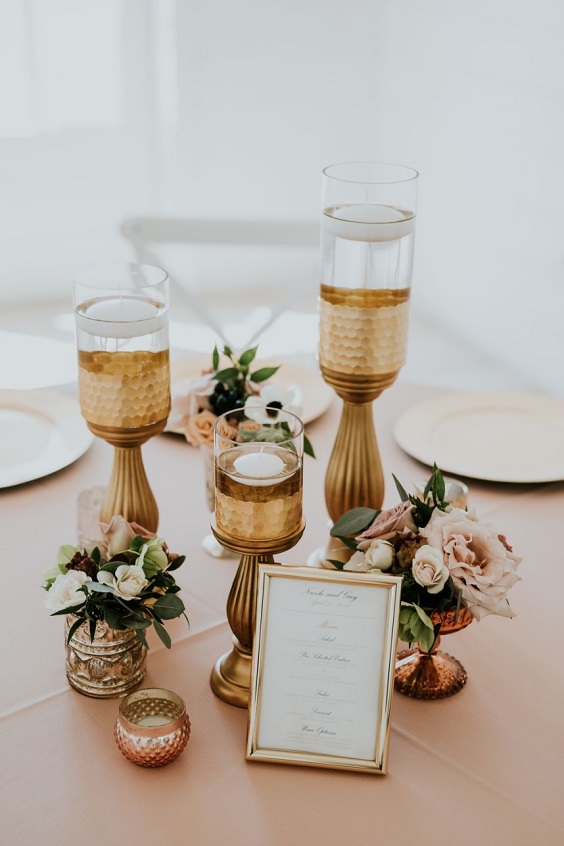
<point x="128" y="492"/>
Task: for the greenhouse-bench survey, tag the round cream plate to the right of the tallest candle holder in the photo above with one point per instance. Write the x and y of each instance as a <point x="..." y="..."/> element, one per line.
<point x="497" y="437"/>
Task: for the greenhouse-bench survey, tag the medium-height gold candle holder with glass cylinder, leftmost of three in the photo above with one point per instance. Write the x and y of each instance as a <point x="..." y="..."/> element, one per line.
<point x="121" y="313"/>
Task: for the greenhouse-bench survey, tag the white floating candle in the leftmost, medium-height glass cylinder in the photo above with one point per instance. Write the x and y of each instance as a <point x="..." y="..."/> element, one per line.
<point x="121" y="317"/>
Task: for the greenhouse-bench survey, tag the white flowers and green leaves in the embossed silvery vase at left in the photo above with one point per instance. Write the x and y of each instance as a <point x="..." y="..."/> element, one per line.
<point x="128" y="583"/>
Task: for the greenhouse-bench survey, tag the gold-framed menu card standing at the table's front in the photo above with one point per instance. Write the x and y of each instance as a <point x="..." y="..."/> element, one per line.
<point x="323" y="664"/>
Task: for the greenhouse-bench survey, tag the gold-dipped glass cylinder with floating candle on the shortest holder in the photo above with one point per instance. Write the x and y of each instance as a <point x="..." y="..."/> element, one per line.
<point x="258" y="473"/>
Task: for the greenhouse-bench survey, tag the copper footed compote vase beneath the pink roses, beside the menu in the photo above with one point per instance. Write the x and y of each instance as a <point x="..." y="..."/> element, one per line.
<point x="433" y="674"/>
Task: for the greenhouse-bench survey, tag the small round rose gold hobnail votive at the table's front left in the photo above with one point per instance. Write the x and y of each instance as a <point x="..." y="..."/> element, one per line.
<point x="152" y="727"/>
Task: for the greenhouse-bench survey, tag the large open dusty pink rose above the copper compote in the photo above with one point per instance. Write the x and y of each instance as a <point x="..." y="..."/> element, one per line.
<point x="480" y="563"/>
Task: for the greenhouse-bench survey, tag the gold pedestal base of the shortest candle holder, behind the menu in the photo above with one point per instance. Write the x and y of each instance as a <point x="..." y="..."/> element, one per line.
<point x="231" y="676"/>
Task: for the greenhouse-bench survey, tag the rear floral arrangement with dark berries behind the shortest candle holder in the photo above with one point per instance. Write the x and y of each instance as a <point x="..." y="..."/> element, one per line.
<point x="224" y="389"/>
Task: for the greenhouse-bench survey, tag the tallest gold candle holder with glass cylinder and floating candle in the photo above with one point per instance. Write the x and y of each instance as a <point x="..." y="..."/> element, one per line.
<point x="367" y="239"/>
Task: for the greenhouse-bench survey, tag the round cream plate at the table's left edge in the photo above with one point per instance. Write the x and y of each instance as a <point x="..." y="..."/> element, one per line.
<point x="40" y="432"/>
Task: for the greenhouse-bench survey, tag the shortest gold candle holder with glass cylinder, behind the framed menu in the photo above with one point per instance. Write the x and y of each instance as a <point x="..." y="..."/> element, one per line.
<point x="258" y="514"/>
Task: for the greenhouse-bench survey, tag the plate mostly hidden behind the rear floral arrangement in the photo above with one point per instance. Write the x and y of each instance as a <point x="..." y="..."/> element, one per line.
<point x="310" y="391"/>
